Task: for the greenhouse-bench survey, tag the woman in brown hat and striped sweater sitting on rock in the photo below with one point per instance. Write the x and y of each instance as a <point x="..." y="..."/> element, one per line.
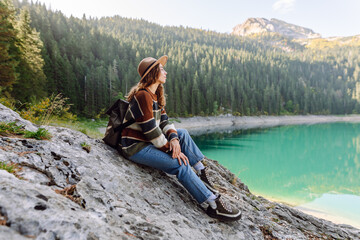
<point x="153" y="141"/>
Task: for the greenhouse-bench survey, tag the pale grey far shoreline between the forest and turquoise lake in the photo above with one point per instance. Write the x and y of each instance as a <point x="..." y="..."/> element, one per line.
<point x="202" y="125"/>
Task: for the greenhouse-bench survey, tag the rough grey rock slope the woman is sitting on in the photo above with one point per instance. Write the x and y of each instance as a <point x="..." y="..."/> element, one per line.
<point x="63" y="191"/>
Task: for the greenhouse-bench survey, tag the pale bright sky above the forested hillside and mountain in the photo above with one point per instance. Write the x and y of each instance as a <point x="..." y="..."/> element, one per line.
<point x="327" y="17"/>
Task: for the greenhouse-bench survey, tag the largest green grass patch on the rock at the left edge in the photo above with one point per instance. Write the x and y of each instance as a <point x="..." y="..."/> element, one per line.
<point x="11" y="129"/>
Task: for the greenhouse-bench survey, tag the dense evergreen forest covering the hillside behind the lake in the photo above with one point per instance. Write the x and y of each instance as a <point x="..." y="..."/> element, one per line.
<point x="94" y="61"/>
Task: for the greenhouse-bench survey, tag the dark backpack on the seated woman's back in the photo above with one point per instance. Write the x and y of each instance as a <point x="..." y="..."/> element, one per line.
<point x="115" y="125"/>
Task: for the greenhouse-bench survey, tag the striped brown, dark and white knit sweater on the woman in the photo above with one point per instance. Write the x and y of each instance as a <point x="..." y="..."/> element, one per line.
<point x="151" y="125"/>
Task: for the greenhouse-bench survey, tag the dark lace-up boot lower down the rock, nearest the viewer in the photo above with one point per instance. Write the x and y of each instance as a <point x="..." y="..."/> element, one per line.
<point x="223" y="211"/>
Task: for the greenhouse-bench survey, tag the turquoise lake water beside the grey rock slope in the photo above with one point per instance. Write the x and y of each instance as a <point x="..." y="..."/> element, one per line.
<point x="311" y="166"/>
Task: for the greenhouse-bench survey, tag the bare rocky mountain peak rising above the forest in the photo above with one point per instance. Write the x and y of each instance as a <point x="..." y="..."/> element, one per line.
<point x="263" y="25"/>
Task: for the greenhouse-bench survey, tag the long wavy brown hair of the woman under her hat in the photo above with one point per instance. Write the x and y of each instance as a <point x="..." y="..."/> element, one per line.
<point x="149" y="79"/>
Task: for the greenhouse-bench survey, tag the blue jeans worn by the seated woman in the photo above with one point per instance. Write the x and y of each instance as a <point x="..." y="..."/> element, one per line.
<point x="153" y="157"/>
